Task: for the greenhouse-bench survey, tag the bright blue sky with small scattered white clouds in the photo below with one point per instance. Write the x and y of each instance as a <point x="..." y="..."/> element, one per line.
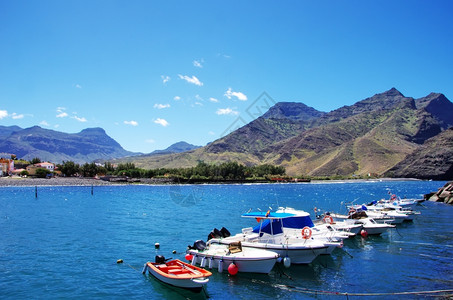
<point x="152" y="73"/>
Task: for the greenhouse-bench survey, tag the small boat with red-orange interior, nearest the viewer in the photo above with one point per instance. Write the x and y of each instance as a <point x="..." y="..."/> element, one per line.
<point x="178" y="273"/>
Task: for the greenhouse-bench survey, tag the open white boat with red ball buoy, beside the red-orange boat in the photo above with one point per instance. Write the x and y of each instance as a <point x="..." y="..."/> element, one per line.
<point x="221" y="256"/>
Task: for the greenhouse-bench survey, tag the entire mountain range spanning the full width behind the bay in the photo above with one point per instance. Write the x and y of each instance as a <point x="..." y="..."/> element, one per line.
<point x="387" y="134"/>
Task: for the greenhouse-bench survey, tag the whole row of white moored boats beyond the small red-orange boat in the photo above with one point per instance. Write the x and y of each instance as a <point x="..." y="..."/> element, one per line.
<point x="290" y="236"/>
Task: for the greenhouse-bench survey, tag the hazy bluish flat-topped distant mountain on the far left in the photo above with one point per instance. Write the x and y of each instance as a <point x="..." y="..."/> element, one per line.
<point x="86" y="146"/>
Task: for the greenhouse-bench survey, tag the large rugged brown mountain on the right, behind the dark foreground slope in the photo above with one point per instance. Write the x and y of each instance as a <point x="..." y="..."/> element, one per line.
<point x="369" y="137"/>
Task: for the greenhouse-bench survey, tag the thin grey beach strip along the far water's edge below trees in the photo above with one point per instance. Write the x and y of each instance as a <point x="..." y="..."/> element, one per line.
<point x="82" y="181"/>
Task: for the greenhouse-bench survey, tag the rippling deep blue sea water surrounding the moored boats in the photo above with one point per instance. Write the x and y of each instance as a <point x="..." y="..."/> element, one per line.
<point x="65" y="243"/>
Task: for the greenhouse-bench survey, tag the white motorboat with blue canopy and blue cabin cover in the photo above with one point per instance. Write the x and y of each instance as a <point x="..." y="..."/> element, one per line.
<point x="269" y="235"/>
